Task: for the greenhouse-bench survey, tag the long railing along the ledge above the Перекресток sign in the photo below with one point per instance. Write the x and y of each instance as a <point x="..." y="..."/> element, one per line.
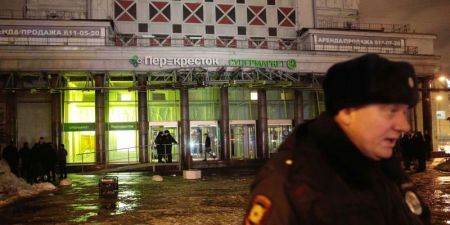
<point x="281" y="44"/>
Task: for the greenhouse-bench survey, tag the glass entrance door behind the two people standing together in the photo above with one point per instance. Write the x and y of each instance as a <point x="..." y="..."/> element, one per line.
<point x="155" y="128"/>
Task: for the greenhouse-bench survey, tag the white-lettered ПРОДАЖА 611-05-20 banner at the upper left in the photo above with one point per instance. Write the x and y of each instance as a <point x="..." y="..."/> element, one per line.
<point x="50" y="31"/>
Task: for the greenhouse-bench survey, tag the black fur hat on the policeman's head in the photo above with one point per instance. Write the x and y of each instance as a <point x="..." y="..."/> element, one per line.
<point x="369" y="79"/>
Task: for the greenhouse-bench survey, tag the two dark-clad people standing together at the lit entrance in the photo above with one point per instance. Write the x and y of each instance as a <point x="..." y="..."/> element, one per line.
<point x="163" y="144"/>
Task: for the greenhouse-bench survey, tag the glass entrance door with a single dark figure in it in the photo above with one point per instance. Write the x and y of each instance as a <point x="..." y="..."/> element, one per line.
<point x="199" y="131"/>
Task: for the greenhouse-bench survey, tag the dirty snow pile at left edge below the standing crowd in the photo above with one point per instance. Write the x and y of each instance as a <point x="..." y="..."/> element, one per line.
<point x="13" y="188"/>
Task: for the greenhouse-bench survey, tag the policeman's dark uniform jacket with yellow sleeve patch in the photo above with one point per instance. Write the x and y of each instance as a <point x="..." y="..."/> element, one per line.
<point x="320" y="177"/>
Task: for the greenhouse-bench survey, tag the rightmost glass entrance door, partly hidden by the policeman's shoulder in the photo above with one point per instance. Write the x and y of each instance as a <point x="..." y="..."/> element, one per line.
<point x="278" y="132"/>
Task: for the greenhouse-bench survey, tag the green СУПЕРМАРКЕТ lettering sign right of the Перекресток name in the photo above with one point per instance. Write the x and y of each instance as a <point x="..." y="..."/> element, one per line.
<point x="290" y="63"/>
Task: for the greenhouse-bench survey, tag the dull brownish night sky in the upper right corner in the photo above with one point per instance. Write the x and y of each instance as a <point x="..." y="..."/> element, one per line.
<point x="424" y="16"/>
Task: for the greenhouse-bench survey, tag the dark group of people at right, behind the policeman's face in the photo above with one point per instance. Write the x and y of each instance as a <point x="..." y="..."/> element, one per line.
<point x="414" y="147"/>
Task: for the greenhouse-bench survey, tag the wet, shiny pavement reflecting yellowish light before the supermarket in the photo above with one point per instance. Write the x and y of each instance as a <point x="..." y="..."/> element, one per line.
<point x="216" y="199"/>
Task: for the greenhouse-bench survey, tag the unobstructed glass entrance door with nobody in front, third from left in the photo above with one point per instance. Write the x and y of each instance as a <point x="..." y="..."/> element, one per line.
<point x="243" y="139"/>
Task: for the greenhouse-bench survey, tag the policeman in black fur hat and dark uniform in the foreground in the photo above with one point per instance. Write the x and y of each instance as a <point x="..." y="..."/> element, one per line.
<point x="339" y="168"/>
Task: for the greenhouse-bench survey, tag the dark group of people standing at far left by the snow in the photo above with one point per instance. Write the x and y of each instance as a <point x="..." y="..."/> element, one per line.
<point x="38" y="163"/>
